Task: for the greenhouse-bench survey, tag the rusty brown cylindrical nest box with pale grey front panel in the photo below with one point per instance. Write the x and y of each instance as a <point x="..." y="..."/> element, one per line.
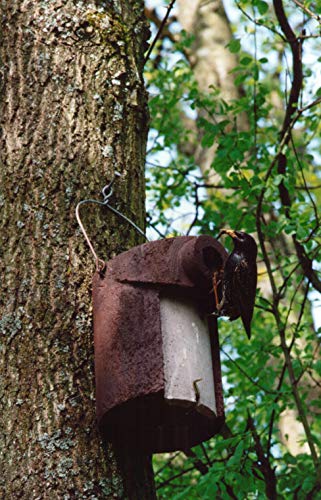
<point x="157" y="364"/>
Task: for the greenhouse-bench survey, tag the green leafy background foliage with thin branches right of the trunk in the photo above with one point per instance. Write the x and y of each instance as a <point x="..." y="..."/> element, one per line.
<point x="264" y="179"/>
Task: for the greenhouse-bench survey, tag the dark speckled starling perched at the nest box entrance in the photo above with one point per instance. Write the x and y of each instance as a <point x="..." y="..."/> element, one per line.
<point x="239" y="279"/>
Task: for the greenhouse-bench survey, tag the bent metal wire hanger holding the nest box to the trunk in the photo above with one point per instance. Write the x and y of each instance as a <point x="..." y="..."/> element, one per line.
<point x="107" y="192"/>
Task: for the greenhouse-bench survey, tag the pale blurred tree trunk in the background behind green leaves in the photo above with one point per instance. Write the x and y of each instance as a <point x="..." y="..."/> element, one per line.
<point x="212" y="65"/>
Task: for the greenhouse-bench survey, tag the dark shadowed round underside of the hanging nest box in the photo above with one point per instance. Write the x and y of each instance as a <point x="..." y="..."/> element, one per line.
<point x="151" y="424"/>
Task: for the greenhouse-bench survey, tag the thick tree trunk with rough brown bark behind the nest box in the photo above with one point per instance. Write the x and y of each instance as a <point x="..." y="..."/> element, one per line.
<point x="73" y="110"/>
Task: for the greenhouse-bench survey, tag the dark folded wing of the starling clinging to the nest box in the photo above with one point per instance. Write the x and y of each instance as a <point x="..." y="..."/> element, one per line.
<point x="244" y="283"/>
